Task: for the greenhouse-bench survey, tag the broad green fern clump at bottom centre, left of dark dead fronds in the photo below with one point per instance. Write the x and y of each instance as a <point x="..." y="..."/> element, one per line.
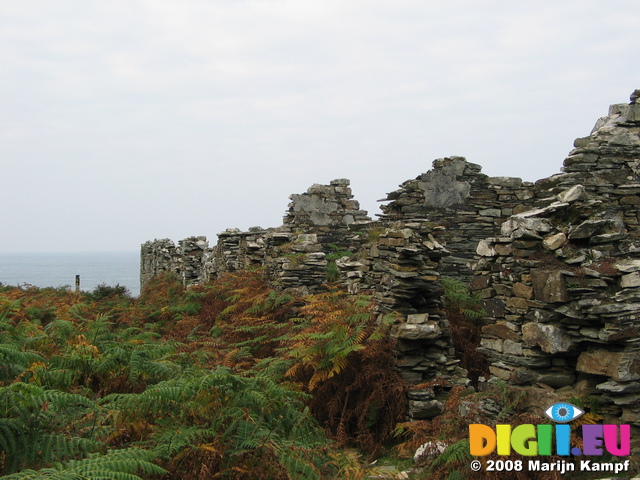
<point x="229" y="416"/>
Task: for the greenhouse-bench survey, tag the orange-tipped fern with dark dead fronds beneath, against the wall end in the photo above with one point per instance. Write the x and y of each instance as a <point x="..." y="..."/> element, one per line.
<point x="341" y="354"/>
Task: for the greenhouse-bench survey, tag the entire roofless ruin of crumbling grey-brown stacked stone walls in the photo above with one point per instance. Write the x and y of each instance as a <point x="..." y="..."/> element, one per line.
<point x="556" y="263"/>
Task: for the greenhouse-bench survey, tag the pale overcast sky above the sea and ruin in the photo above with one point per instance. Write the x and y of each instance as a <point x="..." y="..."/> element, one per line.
<point x="123" y="121"/>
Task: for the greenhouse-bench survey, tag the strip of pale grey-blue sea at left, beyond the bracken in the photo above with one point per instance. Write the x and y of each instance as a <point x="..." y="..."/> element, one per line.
<point x="60" y="270"/>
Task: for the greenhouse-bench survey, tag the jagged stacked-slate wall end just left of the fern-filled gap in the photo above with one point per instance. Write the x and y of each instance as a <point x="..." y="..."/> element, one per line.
<point x="399" y="269"/>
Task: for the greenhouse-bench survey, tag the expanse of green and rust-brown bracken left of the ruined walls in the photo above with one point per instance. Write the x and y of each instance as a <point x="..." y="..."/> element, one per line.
<point x="209" y="382"/>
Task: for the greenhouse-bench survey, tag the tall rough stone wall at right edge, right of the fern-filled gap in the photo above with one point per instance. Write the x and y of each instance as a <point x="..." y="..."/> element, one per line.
<point x="561" y="281"/>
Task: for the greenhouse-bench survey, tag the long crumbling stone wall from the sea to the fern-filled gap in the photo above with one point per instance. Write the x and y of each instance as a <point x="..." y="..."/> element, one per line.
<point x="395" y="263"/>
